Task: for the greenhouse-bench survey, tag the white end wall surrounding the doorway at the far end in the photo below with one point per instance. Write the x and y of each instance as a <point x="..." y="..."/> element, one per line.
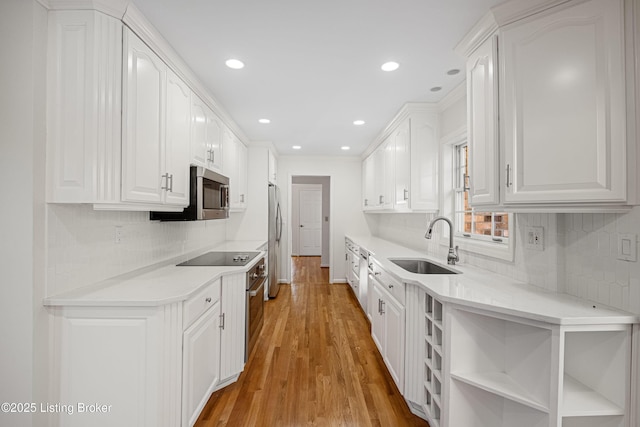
<point x="346" y="213"/>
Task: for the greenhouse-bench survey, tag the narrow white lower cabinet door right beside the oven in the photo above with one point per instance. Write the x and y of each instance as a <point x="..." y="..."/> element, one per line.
<point x="232" y="328"/>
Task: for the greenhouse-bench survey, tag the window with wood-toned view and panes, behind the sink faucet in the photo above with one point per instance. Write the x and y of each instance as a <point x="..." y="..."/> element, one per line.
<point x="470" y="223"/>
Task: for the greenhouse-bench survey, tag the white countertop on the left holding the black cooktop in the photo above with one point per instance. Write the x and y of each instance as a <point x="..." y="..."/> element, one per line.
<point x="157" y="284"/>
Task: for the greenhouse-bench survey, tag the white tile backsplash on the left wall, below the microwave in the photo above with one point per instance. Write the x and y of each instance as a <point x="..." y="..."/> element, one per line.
<point x="82" y="248"/>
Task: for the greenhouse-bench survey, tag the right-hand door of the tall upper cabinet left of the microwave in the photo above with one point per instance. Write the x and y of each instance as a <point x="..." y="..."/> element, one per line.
<point x="177" y="140"/>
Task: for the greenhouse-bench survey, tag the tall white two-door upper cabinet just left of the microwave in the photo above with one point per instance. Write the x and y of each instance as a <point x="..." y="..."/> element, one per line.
<point x="156" y="118"/>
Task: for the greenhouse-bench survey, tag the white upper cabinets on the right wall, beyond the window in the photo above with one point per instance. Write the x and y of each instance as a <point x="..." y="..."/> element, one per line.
<point x="401" y="174"/>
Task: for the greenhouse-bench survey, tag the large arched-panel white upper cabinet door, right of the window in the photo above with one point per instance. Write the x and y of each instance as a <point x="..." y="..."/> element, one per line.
<point x="563" y="105"/>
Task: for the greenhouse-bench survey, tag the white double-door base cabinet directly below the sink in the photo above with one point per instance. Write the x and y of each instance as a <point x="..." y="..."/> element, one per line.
<point x="387" y="329"/>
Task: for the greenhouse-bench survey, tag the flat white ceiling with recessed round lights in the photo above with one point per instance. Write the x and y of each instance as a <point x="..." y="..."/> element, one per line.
<point x="313" y="67"/>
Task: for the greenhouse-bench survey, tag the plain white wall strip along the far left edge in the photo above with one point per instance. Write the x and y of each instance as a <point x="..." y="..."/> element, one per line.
<point x="22" y="80"/>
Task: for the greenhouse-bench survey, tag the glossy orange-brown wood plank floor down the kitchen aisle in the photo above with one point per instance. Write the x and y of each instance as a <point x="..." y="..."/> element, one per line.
<point x="314" y="364"/>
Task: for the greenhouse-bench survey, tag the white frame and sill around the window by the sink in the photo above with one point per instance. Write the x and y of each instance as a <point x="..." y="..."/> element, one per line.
<point x="476" y="244"/>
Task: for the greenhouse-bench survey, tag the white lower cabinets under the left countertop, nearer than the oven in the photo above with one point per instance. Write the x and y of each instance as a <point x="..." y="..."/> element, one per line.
<point x="151" y="366"/>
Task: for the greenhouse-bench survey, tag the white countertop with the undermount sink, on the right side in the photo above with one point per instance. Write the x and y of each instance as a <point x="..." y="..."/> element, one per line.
<point x="475" y="287"/>
